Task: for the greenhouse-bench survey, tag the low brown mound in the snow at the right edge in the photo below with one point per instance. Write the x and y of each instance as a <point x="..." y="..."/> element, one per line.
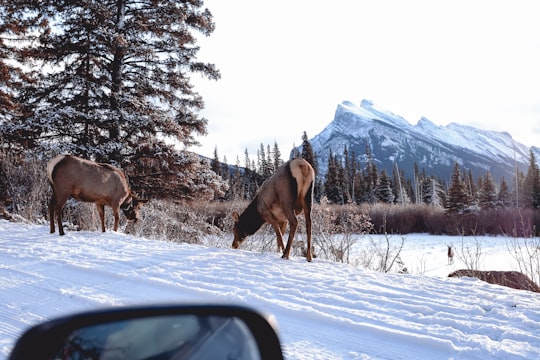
<point x="512" y="279"/>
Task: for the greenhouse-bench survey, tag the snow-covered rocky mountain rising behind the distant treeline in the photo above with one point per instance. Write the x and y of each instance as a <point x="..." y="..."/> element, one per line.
<point x="392" y="141"/>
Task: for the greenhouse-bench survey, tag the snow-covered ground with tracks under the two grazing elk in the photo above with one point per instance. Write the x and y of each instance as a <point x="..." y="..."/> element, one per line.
<point x="325" y="310"/>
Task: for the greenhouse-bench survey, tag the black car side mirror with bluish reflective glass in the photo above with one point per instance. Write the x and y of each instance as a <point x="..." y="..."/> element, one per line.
<point x="153" y="333"/>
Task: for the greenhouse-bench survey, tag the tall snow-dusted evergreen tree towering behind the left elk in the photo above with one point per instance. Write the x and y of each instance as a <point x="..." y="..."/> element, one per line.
<point x="117" y="85"/>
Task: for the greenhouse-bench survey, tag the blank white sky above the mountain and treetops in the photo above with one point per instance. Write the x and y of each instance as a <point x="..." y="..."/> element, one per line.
<point x="287" y="64"/>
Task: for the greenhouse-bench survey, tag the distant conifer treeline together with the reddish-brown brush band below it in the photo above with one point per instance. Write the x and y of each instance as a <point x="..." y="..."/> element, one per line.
<point x="467" y="205"/>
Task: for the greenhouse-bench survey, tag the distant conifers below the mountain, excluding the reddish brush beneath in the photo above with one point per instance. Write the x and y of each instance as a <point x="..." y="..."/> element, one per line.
<point x="348" y="181"/>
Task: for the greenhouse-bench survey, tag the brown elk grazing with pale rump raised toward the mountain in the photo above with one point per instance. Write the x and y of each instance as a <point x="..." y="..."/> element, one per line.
<point x="282" y="197"/>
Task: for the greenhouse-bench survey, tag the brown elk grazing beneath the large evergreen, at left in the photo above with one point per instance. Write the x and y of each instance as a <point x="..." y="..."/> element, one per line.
<point x="88" y="181"/>
